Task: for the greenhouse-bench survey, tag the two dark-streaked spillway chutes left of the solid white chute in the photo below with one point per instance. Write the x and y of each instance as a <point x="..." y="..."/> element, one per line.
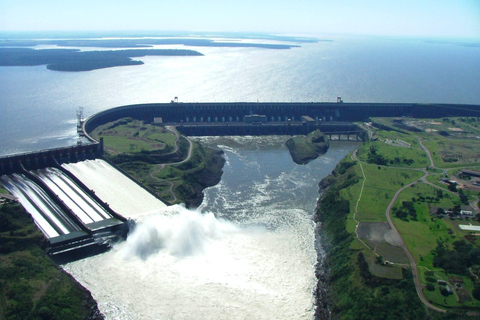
<point x="69" y="214"/>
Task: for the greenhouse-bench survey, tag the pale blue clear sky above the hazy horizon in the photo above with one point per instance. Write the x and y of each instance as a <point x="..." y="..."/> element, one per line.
<point x="424" y="18"/>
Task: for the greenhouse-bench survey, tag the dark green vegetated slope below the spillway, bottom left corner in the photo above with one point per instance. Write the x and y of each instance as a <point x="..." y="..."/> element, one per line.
<point x="31" y="285"/>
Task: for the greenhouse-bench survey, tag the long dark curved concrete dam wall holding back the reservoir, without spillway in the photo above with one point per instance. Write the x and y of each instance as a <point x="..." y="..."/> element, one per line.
<point x="276" y="114"/>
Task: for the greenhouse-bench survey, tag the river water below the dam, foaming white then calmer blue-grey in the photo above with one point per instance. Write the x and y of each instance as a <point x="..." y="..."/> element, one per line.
<point x="247" y="253"/>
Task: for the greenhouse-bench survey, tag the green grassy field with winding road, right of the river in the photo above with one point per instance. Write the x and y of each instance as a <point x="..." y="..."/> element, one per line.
<point x="453" y="145"/>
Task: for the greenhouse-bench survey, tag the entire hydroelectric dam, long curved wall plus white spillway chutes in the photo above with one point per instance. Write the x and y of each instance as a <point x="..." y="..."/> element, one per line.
<point x="55" y="186"/>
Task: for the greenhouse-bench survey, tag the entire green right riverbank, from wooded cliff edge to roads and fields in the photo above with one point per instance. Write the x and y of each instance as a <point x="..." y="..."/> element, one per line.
<point x="382" y="221"/>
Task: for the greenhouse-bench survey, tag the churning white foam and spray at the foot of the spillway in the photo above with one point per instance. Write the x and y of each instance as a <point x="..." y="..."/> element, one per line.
<point x="181" y="264"/>
